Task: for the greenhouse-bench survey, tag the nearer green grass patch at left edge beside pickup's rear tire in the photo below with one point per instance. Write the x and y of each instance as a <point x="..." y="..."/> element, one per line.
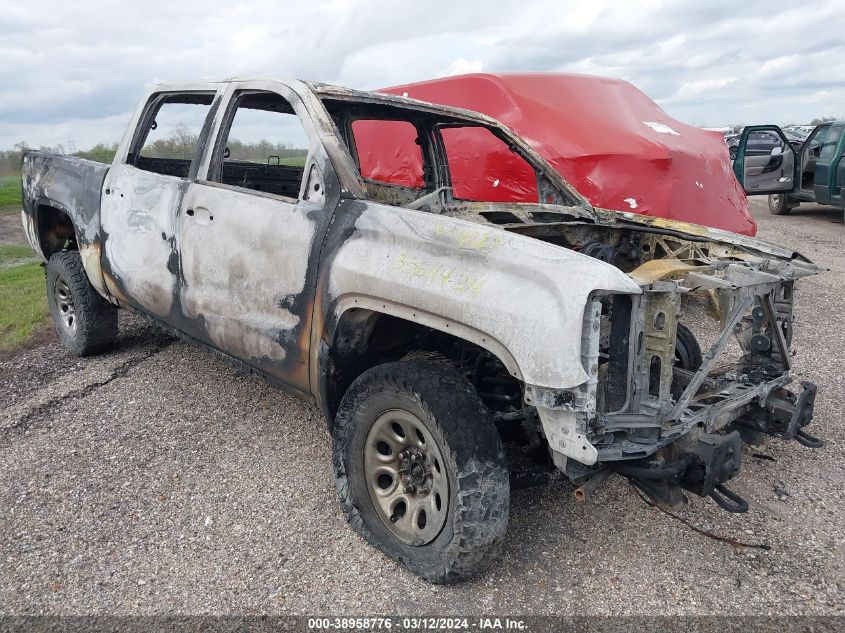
<point x="23" y="302"/>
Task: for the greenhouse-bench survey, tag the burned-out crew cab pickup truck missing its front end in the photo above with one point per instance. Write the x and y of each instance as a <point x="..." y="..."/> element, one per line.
<point x="431" y="331"/>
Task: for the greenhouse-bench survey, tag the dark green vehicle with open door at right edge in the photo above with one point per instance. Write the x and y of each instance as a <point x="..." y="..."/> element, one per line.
<point x="812" y="171"/>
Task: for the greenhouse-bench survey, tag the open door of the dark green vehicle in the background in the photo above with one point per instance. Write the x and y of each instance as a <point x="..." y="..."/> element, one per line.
<point x="764" y="168"/>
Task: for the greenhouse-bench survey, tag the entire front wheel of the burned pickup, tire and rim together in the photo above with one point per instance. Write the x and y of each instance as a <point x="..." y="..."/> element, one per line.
<point x="420" y="469"/>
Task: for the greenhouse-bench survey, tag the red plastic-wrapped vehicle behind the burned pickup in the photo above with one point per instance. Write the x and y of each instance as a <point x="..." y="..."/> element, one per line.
<point x="616" y="146"/>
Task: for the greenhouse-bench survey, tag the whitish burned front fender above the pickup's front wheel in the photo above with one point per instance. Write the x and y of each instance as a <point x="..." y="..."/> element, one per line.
<point x="520" y="298"/>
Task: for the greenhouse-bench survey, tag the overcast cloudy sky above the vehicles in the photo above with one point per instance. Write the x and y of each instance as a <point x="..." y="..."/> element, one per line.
<point x="72" y="72"/>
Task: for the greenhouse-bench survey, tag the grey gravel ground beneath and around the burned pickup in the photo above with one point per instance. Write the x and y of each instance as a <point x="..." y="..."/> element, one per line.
<point x="156" y="479"/>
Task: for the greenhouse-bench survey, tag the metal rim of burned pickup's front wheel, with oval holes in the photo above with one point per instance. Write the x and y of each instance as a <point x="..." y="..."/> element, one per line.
<point x="406" y="477"/>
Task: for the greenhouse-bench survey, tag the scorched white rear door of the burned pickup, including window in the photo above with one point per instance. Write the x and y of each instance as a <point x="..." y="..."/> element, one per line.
<point x="141" y="194"/>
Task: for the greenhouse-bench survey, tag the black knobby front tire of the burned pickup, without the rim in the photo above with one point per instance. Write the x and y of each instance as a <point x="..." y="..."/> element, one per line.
<point x="479" y="490"/>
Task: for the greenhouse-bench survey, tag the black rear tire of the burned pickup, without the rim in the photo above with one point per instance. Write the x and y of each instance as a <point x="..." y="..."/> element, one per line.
<point x="95" y="318"/>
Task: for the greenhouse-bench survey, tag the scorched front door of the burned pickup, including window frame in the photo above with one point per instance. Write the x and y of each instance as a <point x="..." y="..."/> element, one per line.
<point x="250" y="232"/>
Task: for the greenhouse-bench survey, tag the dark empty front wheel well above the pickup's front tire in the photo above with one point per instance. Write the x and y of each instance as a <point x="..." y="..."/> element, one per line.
<point x="365" y="338"/>
